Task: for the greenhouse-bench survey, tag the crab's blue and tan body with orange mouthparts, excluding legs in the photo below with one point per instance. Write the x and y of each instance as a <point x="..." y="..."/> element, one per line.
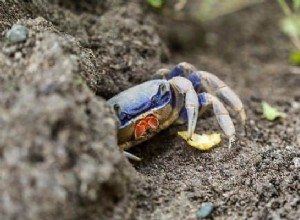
<point x="143" y="111"/>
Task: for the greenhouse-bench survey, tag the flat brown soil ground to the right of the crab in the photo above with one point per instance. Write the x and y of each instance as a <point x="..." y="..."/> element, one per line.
<point x="256" y="178"/>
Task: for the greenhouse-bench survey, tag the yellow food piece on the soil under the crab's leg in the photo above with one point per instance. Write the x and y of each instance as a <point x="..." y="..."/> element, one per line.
<point x="201" y="142"/>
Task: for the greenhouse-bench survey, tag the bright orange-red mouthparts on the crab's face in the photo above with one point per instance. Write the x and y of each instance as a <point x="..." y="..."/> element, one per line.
<point x="145" y="124"/>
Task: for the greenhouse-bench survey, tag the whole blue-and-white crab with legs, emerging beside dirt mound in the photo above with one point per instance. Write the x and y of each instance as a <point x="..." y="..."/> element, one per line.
<point x="175" y="95"/>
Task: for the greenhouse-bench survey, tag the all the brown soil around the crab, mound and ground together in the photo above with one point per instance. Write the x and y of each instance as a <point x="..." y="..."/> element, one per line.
<point x="58" y="152"/>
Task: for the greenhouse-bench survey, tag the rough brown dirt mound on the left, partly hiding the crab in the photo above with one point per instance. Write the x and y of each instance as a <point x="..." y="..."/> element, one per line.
<point x="59" y="154"/>
